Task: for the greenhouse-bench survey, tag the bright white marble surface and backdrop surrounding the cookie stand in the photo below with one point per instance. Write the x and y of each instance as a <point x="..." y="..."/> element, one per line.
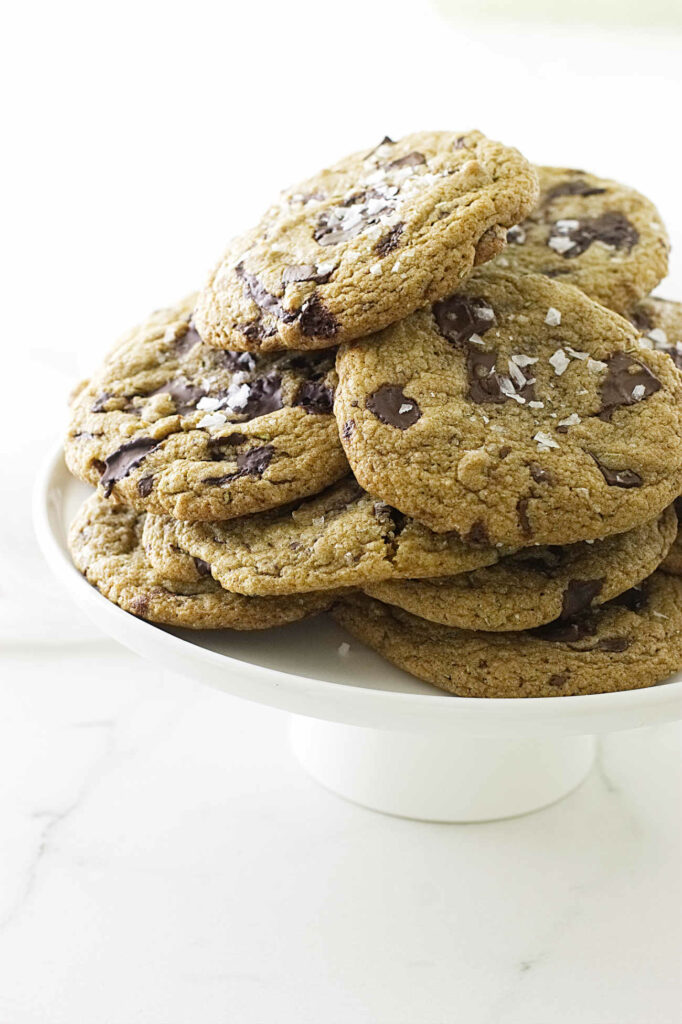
<point x="162" y="860"/>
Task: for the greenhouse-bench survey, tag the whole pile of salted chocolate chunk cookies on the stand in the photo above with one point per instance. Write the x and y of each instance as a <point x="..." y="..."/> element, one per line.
<point x="428" y="393"/>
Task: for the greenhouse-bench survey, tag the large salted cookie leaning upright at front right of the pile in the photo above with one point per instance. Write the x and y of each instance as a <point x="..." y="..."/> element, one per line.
<point x="518" y="411"/>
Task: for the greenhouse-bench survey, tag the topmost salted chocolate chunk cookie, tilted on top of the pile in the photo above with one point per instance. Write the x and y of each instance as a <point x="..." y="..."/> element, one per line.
<point x="366" y="242"/>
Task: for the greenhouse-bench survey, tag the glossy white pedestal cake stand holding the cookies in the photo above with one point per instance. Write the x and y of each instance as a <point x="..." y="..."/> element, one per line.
<point x="361" y="728"/>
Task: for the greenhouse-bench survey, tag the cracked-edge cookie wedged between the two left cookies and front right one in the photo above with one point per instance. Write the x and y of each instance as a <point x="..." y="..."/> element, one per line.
<point x="343" y="538"/>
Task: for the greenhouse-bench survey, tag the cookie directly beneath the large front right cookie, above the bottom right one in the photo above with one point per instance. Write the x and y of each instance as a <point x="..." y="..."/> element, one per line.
<point x="537" y="585"/>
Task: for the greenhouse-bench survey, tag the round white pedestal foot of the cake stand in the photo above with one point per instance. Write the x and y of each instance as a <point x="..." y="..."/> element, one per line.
<point x="441" y="779"/>
